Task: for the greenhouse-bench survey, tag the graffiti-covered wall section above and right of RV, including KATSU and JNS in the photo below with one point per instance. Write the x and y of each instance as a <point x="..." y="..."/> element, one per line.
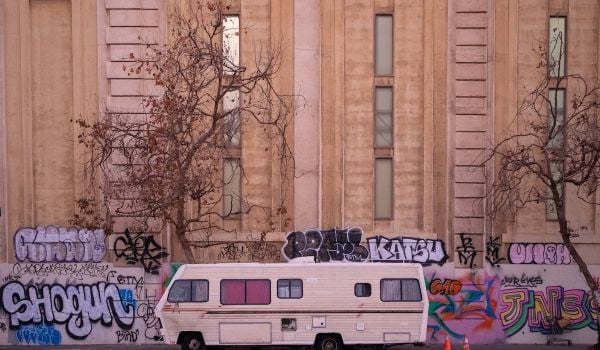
<point x="515" y="297"/>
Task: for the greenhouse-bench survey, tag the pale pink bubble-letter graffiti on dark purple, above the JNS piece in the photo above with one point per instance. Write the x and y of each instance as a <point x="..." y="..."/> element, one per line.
<point x="539" y="253"/>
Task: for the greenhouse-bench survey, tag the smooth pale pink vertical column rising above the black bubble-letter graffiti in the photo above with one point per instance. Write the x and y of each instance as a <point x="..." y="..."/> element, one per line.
<point x="307" y="84"/>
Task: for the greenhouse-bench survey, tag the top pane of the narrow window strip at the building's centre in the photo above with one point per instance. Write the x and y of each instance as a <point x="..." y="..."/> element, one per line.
<point x="384" y="44"/>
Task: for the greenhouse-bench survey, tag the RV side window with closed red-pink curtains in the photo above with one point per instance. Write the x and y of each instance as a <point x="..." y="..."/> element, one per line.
<point x="245" y="292"/>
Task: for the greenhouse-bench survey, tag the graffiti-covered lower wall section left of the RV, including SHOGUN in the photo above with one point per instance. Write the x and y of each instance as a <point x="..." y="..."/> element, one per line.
<point x="62" y="290"/>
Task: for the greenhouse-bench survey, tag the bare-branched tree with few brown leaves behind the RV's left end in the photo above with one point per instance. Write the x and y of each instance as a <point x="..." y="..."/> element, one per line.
<point x="175" y="161"/>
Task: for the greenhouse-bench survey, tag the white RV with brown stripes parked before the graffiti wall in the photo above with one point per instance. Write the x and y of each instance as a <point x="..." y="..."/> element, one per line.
<point x="327" y="305"/>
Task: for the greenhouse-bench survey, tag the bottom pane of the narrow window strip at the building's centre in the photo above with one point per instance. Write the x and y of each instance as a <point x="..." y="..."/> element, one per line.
<point x="383" y="188"/>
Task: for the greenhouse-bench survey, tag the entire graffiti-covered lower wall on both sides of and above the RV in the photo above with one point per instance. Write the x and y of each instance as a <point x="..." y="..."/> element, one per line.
<point x="62" y="289"/>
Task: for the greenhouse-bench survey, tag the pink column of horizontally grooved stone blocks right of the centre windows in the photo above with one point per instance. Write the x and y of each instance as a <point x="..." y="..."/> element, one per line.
<point x="471" y="111"/>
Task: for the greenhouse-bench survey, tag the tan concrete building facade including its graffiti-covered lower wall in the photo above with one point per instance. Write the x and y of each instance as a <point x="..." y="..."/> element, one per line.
<point x="400" y="100"/>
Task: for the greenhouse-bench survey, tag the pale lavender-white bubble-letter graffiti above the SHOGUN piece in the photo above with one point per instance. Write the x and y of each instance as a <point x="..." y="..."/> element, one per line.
<point x="59" y="244"/>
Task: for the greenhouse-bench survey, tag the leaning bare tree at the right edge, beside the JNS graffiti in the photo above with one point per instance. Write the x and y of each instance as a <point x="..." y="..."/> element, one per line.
<point x="553" y="145"/>
